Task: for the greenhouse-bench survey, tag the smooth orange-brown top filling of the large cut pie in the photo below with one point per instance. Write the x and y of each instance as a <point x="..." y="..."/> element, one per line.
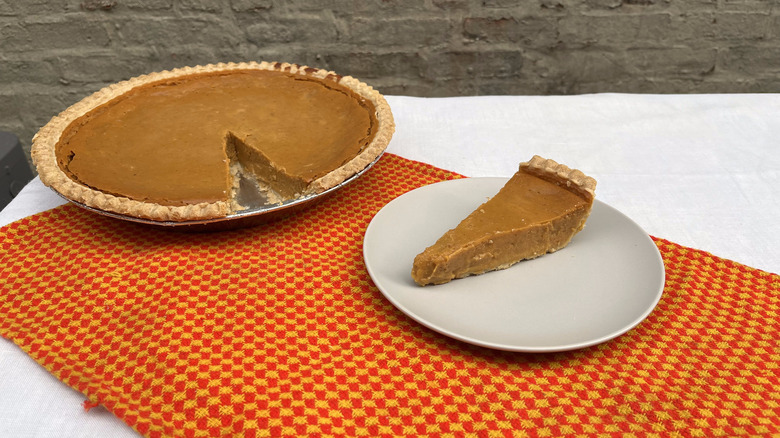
<point x="165" y="142"/>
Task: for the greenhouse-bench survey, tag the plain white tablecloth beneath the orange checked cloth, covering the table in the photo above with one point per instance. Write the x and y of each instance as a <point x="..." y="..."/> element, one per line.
<point x="700" y="170"/>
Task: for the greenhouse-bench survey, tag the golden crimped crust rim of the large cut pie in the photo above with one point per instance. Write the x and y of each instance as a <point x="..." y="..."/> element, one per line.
<point x="55" y="174"/>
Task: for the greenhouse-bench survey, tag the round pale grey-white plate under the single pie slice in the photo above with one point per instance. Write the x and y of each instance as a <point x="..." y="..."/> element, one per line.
<point x="605" y="282"/>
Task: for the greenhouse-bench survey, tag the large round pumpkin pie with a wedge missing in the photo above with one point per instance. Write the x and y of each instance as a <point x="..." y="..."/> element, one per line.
<point x="174" y="145"/>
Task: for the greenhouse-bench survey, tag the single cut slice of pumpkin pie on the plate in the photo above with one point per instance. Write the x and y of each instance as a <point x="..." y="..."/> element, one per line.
<point x="538" y="211"/>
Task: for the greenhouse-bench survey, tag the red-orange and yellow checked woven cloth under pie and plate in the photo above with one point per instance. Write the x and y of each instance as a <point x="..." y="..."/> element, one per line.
<point x="278" y="330"/>
